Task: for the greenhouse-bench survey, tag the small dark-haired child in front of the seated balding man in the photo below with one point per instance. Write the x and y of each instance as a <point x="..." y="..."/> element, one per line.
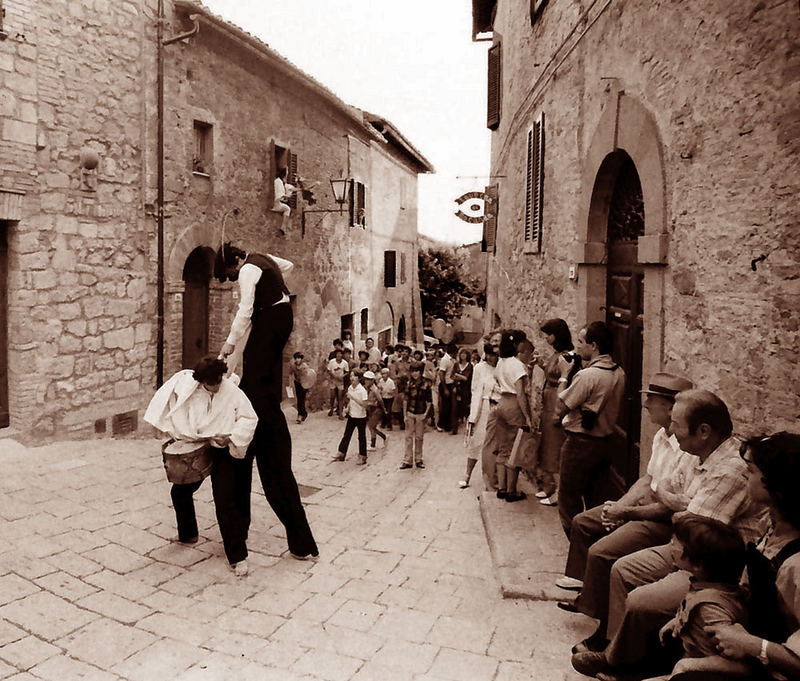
<point x="715" y="555"/>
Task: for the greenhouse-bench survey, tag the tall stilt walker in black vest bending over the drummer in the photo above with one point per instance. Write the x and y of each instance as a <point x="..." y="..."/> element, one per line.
<point x="260" y="330"/>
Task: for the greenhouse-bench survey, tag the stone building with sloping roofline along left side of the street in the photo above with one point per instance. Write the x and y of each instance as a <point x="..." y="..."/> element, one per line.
<point x="80" y="219"/>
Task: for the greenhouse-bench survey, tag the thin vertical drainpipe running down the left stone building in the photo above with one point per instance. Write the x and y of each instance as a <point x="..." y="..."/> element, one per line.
<point x="160" y="195"/>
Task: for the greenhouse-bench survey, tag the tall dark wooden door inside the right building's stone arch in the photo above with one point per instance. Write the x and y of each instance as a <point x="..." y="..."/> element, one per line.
<point x="625" y="298"/>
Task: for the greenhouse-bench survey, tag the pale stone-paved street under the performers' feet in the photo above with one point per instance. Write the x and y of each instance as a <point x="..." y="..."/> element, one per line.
<point x="92" y="587"/>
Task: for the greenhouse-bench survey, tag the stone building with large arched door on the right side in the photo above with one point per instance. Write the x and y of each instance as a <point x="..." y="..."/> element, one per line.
<point x="646" y="157"/>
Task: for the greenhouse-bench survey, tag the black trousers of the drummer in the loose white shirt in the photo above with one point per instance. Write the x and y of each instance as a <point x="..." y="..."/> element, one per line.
<point x="229" y="518"/>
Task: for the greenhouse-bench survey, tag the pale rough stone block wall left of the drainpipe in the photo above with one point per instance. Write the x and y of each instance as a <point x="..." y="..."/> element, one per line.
<point x="80" y="295"/>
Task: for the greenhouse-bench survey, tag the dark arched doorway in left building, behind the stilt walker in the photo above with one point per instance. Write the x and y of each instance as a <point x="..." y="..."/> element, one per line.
<point x="196" y="275"/>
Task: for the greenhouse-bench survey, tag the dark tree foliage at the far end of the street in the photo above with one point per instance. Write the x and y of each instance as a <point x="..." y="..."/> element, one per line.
<point x="444" y="286"/>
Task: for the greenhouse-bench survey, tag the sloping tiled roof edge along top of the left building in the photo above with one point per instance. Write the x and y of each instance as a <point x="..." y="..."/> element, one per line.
<point x="384" y="131"/>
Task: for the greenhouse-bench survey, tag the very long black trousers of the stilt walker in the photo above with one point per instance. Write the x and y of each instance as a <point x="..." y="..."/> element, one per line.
<point x="271" y="448"/>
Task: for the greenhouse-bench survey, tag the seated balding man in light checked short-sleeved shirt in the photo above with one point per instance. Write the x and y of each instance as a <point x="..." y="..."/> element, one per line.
<point x="646" y="587"/>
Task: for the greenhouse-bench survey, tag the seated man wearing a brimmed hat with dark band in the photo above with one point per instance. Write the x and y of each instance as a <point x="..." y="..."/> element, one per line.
<point x="639" y="519"/>
